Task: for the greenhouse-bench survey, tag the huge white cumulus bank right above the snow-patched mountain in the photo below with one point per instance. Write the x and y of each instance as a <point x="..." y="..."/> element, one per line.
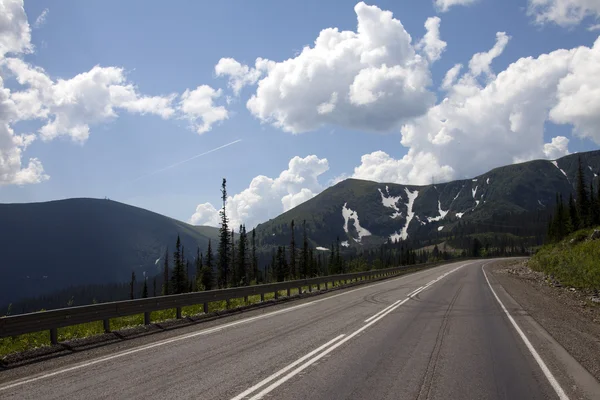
<point x="481" y="126"/>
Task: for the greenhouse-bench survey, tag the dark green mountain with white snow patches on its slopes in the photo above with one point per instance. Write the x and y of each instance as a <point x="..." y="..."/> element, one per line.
<point x="513" y="200"/>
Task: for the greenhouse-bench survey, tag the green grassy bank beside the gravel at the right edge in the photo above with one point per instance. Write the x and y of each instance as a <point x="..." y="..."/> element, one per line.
<point x="574" y="264"/>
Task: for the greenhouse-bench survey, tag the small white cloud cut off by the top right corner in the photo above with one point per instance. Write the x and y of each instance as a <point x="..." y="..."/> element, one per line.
<point x="563" y="12"/>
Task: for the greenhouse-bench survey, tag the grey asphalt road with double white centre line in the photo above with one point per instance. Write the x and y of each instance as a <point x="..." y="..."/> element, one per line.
<point x="449" y="340"/>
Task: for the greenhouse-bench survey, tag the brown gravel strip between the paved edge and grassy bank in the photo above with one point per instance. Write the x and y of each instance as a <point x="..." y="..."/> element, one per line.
<point x="570" y="316"/>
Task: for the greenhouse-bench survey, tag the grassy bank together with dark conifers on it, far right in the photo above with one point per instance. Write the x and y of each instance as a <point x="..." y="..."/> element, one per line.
<point x="572" y="254"/>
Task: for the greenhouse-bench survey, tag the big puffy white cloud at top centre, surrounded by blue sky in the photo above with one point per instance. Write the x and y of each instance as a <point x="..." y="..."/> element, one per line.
<point x="372" y="79"/>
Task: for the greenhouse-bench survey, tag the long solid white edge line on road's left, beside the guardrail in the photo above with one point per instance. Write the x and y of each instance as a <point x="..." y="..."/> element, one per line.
<point x="203" y="332"/>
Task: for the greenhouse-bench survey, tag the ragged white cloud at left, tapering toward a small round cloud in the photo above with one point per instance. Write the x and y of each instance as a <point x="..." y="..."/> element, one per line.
<point x="70" y="106"/>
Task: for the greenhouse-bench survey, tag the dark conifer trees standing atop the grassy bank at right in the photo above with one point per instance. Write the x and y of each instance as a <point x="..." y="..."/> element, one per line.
<point x="580" y="212"/>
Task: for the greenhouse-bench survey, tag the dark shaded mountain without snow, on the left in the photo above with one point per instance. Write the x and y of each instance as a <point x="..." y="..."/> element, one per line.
<point x="53" y="245"/>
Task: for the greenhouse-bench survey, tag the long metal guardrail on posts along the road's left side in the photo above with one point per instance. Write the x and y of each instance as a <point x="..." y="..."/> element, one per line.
<point x="53" y="319"/>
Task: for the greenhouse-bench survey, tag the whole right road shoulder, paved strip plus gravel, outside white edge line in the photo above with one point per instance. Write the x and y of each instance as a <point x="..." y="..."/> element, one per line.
<point x="565" y="331"/>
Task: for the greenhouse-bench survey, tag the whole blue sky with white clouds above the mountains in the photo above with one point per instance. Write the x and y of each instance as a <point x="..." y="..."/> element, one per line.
<point x="163" y="50"/>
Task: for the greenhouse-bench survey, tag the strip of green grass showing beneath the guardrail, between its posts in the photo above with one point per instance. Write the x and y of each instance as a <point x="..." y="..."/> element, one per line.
<point x="34" y="340"/>
